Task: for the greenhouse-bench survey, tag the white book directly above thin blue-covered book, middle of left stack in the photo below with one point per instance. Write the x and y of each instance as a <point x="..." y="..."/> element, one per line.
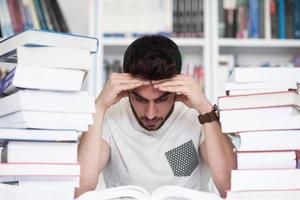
<point x="25" y="116"/>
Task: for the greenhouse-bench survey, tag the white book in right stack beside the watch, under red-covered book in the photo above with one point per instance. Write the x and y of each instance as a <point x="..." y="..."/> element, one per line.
<point x="258" y="113"/>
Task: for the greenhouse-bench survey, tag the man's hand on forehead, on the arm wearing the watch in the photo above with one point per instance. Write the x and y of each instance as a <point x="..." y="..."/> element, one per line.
<point x="190" y="92"/>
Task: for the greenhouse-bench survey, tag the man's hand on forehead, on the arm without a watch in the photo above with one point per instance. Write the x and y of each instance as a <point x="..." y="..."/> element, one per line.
<point x="116" y="88"/>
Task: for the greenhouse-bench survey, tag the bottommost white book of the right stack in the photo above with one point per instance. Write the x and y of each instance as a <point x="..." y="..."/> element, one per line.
<point x="264" y="195"/>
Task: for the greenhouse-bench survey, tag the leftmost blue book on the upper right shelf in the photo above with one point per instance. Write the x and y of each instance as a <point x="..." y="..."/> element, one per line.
<point x="254" y="19"/>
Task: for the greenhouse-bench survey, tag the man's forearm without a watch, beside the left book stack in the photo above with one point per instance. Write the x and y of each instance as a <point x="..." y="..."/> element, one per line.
<point x="89" y="154"/>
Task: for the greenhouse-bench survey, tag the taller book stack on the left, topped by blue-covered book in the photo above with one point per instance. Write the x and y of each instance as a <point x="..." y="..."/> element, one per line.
<point x="42" y="113"/>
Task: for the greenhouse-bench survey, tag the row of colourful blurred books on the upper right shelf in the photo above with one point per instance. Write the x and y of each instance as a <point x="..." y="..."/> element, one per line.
<point x="260" y="19"/>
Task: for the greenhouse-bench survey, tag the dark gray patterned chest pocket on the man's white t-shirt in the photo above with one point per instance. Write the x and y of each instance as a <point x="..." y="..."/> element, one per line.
<point x="183" y="159"/>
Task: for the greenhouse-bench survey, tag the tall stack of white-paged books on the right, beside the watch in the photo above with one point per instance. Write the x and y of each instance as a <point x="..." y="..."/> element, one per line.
<point x="262" y="107"/>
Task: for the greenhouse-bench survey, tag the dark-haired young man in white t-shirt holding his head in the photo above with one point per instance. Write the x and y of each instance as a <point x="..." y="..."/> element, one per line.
<point x="154" y="127"/>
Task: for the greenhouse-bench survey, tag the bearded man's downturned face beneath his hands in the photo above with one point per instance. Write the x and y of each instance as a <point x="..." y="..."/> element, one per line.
<point x="151" y="106"/>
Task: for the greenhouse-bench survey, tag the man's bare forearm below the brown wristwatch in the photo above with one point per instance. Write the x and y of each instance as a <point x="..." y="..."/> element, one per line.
<point x="220" y="155"/>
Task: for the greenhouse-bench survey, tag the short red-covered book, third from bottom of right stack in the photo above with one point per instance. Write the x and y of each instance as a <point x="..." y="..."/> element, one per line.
<point x="266" y="160"/>
